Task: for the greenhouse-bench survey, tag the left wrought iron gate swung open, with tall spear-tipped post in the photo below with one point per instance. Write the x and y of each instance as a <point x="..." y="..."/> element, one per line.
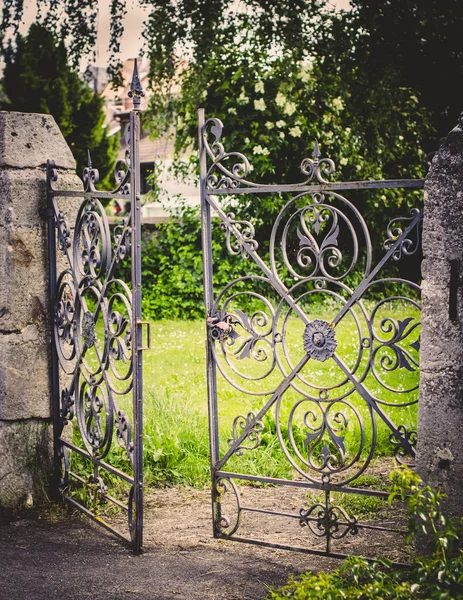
<point x="97" y="342"/>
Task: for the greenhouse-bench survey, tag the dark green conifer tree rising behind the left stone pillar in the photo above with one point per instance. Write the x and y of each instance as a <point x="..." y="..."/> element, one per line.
<point x="38" y="78"/>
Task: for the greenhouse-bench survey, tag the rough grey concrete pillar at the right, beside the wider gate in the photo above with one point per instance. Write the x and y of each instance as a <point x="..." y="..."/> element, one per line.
<point x="440" y="421"/>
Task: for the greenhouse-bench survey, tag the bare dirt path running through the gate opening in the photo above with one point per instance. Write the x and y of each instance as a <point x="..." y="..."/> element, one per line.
<point x="73" y="559"/>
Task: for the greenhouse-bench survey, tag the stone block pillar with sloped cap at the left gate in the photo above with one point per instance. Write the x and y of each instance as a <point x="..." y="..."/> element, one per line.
<point x="26" y="142"/>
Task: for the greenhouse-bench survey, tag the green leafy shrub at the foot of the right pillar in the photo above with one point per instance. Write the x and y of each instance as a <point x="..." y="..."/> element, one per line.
<point x="439" y="575"/>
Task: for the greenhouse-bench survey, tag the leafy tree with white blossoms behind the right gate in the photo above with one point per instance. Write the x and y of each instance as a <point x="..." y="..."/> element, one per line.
<point x="279" y="82"/>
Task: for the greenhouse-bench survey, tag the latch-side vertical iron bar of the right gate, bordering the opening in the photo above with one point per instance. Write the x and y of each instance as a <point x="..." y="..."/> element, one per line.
<point x="206" y="239"/>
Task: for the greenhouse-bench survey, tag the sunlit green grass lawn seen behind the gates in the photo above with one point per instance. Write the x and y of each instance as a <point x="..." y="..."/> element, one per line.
<point x="175" y="421"/>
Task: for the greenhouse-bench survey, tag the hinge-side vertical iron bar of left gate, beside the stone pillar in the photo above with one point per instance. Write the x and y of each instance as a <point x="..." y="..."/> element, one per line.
<point x="54" y="357"/>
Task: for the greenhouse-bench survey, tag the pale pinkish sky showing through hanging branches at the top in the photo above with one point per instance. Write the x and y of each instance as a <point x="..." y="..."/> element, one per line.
<point x="132" y="41"/>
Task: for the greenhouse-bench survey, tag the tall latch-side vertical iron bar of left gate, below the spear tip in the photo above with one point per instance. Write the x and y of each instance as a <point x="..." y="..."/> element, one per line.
<point x="136" y="329"/>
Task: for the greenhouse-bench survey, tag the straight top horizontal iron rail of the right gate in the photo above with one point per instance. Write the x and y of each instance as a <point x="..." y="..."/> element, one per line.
<point x="324" y="187"/>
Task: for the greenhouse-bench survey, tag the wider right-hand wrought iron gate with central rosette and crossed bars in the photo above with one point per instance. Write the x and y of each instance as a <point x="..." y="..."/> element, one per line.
<point x="307" y="338"/>
